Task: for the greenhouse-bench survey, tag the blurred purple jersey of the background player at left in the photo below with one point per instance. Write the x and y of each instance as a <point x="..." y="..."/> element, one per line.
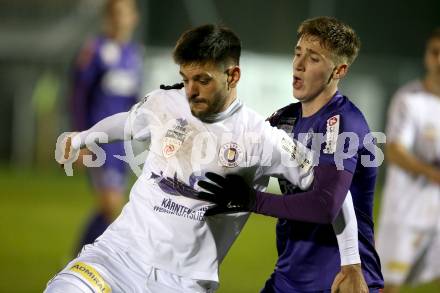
<point x="107" y="80"/>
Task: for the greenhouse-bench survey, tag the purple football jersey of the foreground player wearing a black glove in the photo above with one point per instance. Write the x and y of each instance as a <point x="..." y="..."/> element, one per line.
<point x="308" y="253"/>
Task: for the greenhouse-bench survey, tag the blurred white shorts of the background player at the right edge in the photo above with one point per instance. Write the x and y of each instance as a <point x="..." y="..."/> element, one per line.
<point x="408" y="255"/>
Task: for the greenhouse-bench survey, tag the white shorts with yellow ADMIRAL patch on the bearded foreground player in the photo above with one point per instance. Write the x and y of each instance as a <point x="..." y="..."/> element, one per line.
<point x="98" y="271"/>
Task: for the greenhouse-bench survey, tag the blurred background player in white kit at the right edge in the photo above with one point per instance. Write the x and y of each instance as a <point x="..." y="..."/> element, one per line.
<point x="409" y="228"/>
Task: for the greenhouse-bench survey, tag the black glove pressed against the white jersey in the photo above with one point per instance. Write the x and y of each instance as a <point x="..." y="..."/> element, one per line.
<point x="231" y="194"/>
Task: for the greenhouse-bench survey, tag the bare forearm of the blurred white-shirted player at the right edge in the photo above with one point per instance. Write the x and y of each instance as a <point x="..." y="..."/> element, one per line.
<point x="399" y="156"/>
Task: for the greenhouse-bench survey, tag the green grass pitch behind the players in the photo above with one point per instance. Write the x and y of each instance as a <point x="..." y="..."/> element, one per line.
<point x="42" y="213"/>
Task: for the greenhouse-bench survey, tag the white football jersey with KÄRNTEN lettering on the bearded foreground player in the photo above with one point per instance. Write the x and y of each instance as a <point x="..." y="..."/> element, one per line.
<point x="159" y="227"/>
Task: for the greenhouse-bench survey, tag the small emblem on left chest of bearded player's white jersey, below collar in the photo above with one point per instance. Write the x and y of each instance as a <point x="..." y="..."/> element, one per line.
<point x="174" y="138"/>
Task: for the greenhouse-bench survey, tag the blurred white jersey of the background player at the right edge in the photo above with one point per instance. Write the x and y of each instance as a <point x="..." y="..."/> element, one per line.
<point x="413" y="123"/>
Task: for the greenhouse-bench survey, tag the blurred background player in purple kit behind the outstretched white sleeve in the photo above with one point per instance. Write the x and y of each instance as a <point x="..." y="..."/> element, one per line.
<point x="107" y="80"/>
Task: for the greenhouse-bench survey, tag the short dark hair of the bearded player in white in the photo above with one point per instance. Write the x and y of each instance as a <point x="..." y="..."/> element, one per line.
<point x="208" y="43"/>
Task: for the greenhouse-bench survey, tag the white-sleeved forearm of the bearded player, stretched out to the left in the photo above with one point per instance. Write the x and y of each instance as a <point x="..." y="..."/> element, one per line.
<point x="112" y="128"/>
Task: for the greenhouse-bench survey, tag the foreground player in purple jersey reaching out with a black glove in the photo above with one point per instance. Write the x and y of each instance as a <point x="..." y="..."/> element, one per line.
<point x="308" y="252"/>
